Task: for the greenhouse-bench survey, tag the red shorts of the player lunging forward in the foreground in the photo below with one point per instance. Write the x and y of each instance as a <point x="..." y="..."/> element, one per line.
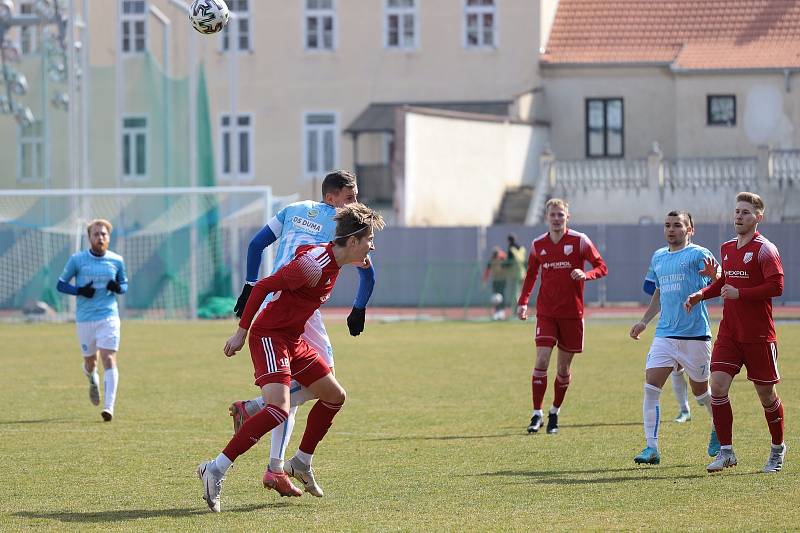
<point x="279" y="360"/>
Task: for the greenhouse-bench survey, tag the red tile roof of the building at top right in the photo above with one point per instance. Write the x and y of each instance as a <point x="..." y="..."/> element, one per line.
<point x="688" y="34"/>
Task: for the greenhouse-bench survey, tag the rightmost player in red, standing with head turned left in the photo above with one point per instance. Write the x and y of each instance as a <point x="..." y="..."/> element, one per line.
<point x="752" y="274"/>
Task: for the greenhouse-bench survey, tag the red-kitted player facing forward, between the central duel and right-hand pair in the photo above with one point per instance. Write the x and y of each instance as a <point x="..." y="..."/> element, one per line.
<point x="561" y="253"/>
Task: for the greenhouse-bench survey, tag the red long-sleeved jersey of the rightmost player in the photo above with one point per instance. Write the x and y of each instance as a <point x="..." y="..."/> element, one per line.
<point x="756" y="270"/>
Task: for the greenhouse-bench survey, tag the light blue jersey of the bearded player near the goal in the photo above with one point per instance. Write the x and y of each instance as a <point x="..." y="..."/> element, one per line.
<point x="85" y="268"/>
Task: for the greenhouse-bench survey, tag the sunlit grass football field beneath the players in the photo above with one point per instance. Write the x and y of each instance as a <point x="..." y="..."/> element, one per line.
<point x="432" y="438"/>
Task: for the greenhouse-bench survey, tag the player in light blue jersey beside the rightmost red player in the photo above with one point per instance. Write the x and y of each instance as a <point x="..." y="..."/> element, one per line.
<point x="681" y="339"/>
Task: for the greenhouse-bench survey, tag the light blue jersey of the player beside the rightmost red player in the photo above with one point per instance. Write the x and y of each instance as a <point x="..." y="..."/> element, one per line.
<point x="676" y="275"/>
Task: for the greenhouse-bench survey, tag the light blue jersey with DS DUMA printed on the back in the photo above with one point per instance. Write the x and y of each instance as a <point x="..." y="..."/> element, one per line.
<point x="305" y="222"/>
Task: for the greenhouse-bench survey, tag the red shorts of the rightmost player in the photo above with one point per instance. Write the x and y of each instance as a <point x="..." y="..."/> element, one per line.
<point x="760" y="358"/>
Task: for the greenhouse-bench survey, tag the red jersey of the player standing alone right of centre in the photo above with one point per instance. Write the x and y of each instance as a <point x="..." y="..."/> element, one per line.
<point x="560" y="296"/>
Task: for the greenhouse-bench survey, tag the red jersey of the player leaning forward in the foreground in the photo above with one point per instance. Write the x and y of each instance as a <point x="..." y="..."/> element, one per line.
<point x="301" y="286"/>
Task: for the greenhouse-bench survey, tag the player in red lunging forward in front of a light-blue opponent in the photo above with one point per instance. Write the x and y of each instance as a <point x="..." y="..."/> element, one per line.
<point x="279" y="353"/>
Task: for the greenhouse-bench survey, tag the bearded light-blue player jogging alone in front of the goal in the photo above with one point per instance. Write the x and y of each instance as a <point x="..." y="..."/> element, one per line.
<point x="99" y="277"/>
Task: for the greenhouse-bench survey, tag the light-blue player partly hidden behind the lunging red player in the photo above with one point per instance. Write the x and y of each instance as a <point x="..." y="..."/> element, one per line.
<point x="301" y="223"/>
